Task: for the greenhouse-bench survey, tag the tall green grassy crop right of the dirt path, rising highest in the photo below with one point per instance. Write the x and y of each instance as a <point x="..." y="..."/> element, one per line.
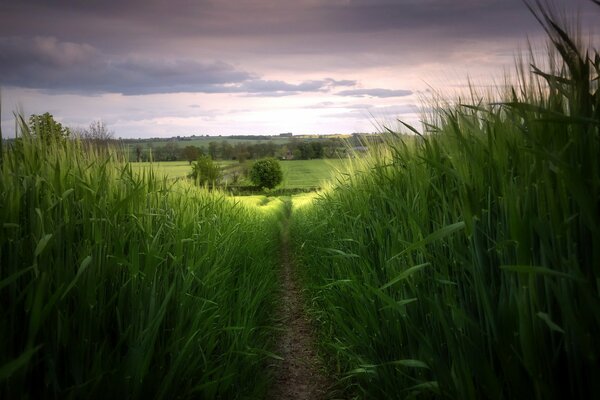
<point x="465" y="262"/>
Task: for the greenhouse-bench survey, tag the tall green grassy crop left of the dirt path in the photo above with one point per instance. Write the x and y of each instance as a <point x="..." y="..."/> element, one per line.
<point x="121" y="284"/>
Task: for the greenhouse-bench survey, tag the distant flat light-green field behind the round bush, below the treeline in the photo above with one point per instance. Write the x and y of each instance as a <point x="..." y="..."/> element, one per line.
<point x="296" y="174"/>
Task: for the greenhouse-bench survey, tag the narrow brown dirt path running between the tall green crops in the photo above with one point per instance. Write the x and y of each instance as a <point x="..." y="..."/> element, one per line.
<point x="300" y="374"/>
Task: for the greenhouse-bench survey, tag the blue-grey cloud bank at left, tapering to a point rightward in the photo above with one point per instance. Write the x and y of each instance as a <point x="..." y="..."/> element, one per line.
<point x="47" y="63"/>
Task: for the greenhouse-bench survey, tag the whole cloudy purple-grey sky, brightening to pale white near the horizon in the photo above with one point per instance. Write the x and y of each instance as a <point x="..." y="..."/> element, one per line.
<point x="162" y="68"/>
